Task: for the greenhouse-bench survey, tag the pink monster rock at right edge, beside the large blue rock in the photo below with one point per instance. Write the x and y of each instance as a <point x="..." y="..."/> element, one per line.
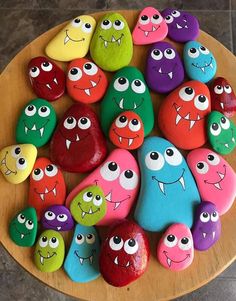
<point x="216" y="180"/>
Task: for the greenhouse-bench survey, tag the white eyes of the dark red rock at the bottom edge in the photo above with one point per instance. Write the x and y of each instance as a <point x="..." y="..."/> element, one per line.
<point x="116" y="243"/>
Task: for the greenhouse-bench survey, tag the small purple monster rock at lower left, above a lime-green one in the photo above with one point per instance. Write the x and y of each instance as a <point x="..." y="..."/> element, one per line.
<point x="58" y="218"/>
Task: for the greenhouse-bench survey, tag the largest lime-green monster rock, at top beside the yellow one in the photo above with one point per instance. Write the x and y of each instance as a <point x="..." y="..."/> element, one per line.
<point x="111" y="47"/>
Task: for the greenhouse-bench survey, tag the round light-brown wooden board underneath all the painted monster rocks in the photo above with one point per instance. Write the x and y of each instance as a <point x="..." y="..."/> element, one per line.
<point x="157" y="283"/>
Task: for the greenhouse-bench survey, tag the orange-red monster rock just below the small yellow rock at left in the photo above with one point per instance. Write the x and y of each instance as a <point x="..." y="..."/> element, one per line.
<point x="47" y="186"/>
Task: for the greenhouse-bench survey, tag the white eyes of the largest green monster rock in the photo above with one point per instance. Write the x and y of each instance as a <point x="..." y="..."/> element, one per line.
<point x="121" y="84"/>
